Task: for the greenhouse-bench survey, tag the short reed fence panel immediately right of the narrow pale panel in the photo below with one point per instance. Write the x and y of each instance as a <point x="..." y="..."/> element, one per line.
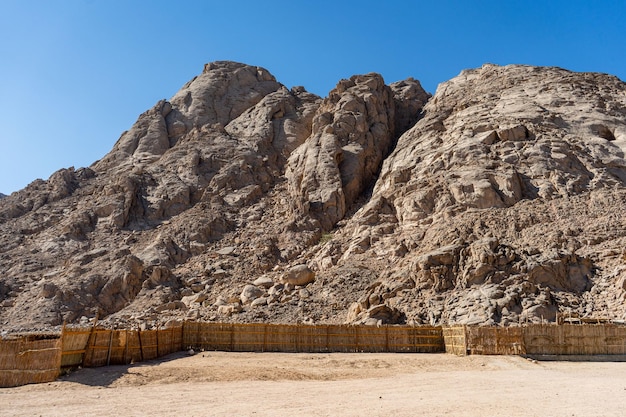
<point x="495" y="340"/>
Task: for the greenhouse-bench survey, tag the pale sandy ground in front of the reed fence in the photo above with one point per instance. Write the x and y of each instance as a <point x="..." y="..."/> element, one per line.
<point x="278" y="384"/>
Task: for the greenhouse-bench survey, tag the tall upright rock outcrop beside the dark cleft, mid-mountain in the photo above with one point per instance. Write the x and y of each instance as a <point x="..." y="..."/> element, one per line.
<point x="353" y="132"/>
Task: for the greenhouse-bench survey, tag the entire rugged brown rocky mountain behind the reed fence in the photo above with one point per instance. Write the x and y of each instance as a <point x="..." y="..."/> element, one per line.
<point x="500" y="199"/>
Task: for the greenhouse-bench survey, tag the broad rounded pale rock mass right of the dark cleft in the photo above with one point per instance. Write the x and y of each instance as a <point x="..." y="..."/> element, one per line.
<point x="506" y="146"/>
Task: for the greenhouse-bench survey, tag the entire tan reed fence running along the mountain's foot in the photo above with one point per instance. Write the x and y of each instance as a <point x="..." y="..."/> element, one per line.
<point x="40" y="358"/>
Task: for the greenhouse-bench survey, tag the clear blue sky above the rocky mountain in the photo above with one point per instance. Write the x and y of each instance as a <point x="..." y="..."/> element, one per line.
<point x="75" y="74"/>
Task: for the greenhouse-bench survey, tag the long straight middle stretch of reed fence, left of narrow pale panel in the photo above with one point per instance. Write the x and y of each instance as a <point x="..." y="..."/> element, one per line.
<point x="306" y="338"/>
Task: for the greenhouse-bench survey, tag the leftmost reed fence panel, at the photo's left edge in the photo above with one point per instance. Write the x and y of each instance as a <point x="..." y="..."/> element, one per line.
<point x="29" y="360"/>
